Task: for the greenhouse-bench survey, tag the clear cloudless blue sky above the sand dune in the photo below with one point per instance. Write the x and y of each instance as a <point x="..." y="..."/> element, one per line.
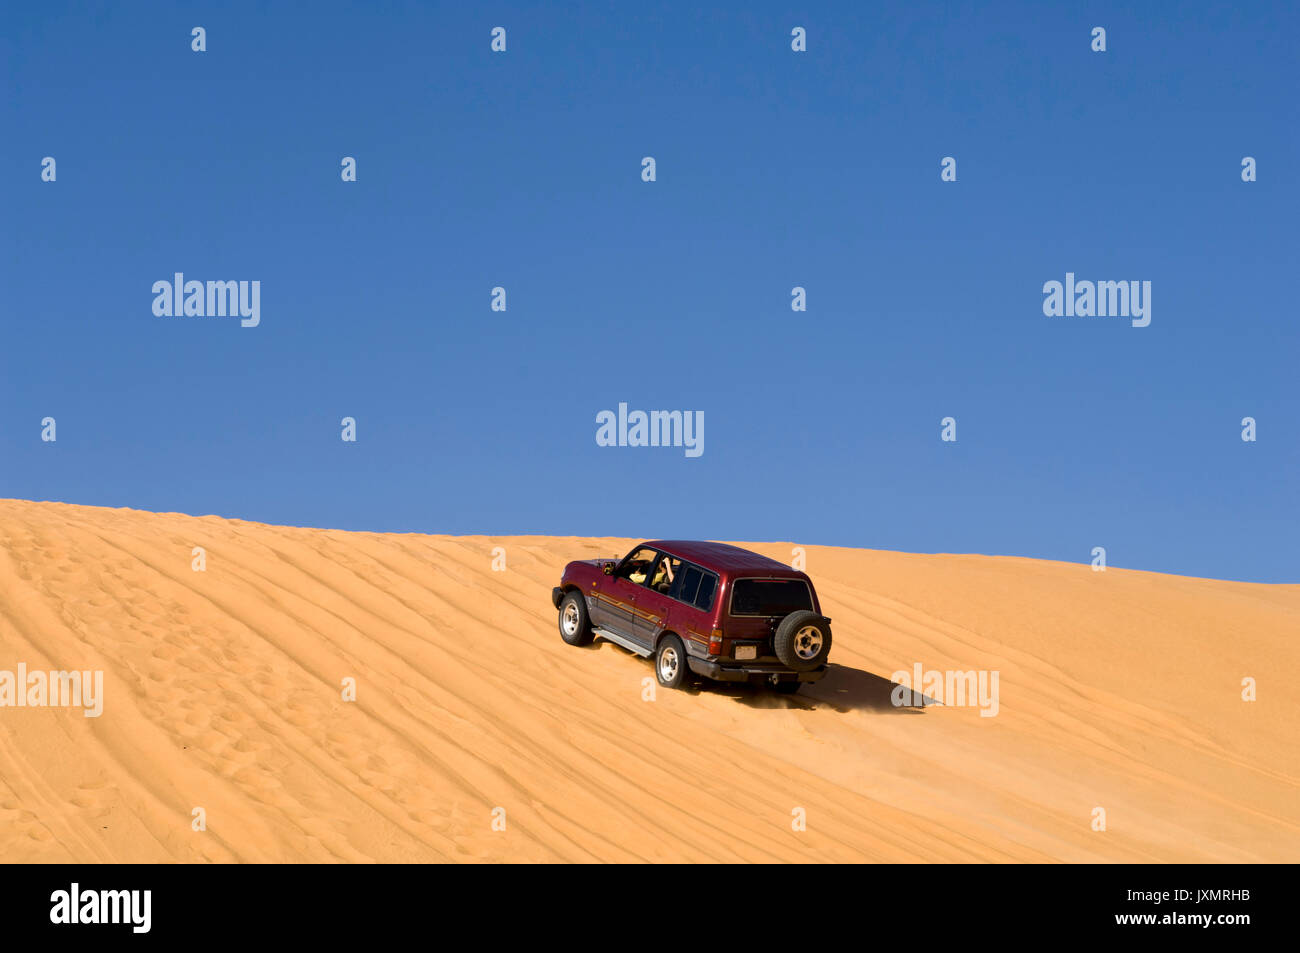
<point x="775" y="170"/>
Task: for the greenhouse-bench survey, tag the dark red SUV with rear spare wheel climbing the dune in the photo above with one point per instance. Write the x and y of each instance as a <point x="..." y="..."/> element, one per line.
<point x="704" y="608"/>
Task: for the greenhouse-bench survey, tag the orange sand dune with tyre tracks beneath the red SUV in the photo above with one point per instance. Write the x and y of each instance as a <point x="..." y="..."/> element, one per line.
<point x="1119" y="690"/>
